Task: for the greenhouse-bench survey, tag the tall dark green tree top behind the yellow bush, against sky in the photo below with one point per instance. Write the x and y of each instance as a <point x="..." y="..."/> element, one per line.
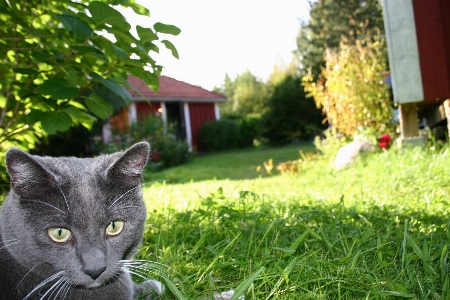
<point x="329" y="22"/>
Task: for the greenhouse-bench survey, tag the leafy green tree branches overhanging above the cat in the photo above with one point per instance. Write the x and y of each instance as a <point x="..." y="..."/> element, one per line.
<point x="65" y="63"/>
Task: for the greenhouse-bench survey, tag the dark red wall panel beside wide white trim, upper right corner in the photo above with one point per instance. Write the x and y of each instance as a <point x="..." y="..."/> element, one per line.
<point x="432" y="18"/>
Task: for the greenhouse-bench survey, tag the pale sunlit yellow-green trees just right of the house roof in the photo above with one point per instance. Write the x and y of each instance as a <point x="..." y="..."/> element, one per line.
<point x="246" y="94"/>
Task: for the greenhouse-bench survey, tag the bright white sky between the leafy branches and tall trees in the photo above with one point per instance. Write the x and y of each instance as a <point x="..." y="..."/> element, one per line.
<point x="226" y="37"/>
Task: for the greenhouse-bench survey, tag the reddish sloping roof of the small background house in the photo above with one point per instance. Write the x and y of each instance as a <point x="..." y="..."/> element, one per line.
<point x="172" y="90"/>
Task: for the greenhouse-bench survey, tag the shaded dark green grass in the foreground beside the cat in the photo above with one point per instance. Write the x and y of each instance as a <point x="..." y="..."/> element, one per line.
<point x="309" y="251"/>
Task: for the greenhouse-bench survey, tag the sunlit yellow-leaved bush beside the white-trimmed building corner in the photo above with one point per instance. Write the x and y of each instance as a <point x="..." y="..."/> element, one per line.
<point x="351" y="91"/>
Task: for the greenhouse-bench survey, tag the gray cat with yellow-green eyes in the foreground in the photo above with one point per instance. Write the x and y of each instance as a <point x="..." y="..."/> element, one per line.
<point x="69" y="227"/>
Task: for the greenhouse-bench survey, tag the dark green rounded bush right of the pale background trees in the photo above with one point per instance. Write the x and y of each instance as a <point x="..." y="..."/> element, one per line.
<point x="291" y="115"/>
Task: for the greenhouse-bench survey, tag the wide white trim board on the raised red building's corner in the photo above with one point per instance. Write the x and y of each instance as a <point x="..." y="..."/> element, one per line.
<point x="403" y="51"/>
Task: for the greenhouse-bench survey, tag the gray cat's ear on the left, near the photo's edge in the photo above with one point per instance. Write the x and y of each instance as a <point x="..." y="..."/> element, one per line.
<point x="26" y="174"/>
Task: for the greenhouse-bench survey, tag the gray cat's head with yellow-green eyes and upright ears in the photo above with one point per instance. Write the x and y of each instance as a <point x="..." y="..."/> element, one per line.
<point x="81" y="216"/>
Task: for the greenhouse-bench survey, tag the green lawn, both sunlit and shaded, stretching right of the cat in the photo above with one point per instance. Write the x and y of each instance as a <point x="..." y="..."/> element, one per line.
<point x="378" y="230"/>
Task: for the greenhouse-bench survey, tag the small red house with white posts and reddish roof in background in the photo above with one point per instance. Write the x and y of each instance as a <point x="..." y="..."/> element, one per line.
<point x="188" y="105"/>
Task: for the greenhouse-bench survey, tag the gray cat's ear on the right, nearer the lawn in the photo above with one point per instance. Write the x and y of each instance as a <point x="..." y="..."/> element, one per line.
<point x="128" y="167"/>
